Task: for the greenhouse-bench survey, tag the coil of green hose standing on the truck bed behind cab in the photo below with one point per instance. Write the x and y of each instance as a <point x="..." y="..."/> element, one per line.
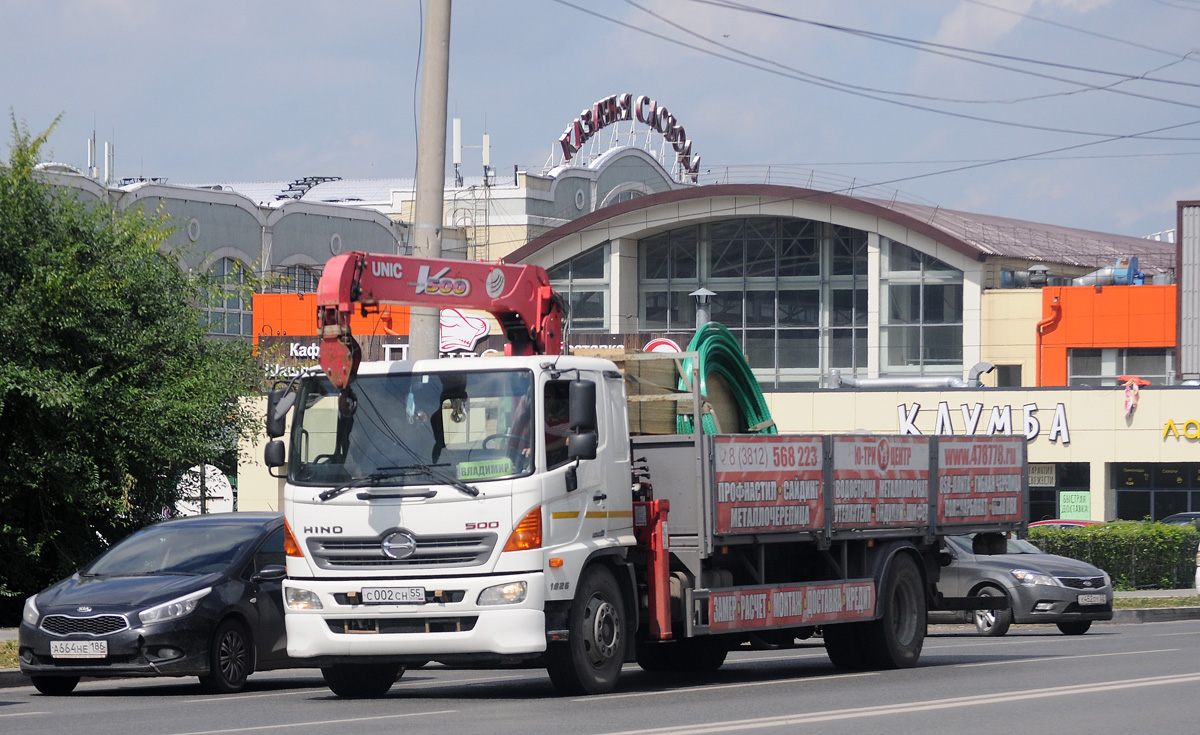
<point x="721" y="354"/>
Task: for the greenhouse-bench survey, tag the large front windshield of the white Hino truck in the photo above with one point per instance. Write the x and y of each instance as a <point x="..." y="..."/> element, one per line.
<point x="411" y="428"/>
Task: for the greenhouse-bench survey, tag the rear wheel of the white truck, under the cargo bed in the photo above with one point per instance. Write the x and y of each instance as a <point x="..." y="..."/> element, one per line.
<point x="895" y="641"/>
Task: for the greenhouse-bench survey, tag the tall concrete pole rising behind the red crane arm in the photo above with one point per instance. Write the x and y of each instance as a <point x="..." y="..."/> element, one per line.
<point x="431" y="164"/>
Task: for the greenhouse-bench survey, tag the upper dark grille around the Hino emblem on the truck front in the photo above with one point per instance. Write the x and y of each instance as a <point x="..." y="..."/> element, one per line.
<point x="449" y="551"/>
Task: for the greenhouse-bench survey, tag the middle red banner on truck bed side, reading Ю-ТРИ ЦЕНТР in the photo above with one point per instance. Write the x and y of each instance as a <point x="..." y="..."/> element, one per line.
<point x="880" y="482"/>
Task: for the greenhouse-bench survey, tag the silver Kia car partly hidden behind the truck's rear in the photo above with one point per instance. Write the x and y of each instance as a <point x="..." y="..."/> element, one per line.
<point x="1041" y="588"/>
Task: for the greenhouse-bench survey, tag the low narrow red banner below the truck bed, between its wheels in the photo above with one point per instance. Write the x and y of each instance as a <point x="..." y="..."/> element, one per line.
<point x="790" y="606"/>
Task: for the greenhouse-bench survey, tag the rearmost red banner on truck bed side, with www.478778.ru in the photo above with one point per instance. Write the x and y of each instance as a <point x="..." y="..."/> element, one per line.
<point x="980" y="480"/>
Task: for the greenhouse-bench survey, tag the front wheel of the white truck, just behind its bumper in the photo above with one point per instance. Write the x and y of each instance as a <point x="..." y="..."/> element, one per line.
<point x="590" y="661"/>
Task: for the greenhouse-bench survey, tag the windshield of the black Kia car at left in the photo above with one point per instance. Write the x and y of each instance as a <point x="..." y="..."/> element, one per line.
<point x="176" y="549"/>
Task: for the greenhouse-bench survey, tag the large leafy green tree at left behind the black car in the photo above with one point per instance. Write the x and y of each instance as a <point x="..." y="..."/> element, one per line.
<point x="110" y="387"/>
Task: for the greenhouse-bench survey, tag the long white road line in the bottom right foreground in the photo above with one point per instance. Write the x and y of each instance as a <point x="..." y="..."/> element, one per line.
<point x="1000" y="698"/>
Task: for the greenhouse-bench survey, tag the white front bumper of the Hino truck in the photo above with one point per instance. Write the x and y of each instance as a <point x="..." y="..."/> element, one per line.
<point x="453" y="626"/>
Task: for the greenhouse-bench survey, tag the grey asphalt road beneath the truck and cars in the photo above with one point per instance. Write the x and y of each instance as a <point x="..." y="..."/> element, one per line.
<point x="1119" y="678"/>
